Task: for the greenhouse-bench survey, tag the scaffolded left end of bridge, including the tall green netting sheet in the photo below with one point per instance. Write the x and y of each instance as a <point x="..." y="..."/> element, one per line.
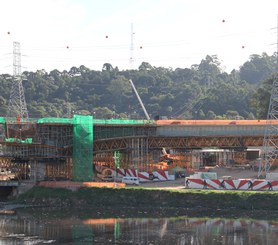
<point x="61" y="147"/>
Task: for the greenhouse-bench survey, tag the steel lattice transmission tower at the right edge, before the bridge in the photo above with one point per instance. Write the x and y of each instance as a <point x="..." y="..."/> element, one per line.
<point x="270" y="142"/>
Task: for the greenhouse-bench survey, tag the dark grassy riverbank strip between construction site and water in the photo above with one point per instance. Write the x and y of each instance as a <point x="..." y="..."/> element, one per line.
<point x="150" y="198"/>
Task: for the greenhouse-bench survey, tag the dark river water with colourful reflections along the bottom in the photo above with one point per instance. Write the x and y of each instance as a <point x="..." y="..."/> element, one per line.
<point x="25" y="229"/>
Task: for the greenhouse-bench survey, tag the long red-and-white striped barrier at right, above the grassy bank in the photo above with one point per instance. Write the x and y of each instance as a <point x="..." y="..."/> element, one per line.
<point x="238" y="184"/>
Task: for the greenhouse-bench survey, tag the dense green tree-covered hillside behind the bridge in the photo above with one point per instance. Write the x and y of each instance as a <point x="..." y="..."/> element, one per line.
<point x="203" y="91"/>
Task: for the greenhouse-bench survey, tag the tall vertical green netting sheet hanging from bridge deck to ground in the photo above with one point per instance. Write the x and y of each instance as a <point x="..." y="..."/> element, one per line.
<point x="82" y="148"/>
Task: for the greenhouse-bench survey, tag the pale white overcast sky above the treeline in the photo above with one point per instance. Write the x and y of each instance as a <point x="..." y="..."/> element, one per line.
<point x="60" y="34"/>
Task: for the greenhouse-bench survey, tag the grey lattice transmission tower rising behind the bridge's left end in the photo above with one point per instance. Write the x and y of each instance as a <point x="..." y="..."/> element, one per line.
<point x="17" y="104"/>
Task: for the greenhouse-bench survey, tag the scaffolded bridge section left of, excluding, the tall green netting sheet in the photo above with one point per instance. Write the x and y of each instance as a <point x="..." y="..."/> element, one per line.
<point x="44" y="144"/>
